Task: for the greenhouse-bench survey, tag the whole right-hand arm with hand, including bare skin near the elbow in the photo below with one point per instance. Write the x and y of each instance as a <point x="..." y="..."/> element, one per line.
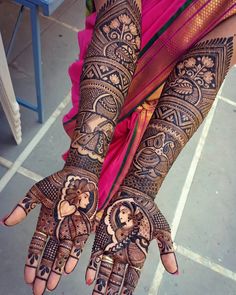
<point x="209" y="60"/>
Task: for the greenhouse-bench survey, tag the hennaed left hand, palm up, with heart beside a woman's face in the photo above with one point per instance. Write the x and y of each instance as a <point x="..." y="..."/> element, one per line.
<point x="68" y="201"/>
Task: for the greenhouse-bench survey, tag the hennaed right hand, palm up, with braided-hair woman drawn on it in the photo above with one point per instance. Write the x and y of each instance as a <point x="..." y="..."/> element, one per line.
<point x="120" y="248"/>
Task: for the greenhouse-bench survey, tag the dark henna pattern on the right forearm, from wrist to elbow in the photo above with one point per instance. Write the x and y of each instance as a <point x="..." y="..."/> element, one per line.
<point x="184" y="103"/>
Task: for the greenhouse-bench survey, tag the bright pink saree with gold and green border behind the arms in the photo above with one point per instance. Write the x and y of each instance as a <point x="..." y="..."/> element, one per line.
<point x="169" y="28"/>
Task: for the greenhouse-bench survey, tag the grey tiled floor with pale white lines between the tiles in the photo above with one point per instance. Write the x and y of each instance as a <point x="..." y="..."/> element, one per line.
<point x="198" y="196"/>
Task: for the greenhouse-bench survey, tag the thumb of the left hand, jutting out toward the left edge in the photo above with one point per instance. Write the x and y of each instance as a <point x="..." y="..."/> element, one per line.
<point x="22" y="209"/>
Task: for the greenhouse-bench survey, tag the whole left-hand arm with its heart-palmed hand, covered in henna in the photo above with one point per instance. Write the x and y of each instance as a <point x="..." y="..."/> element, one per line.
<point x="61" y="233"/>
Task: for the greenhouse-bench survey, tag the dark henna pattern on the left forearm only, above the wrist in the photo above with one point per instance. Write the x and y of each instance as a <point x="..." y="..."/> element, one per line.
<point x="107" y="73"/>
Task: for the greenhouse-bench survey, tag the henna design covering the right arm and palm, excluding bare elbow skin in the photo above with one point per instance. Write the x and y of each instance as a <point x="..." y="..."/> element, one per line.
<point x="132" y="219"/>
